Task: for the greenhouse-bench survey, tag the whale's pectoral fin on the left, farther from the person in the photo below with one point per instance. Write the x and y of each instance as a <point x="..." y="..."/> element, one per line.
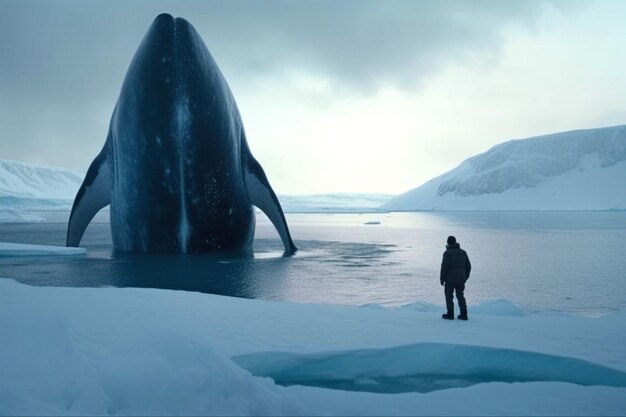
<point x="94" y="194"/>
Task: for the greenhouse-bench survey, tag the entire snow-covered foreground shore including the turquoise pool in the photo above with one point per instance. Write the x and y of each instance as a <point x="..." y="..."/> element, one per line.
<point x="114" y="351"/>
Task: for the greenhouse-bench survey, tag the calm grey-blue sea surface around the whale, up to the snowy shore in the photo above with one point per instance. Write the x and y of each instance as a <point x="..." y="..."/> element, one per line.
<point x="563" y="261"/>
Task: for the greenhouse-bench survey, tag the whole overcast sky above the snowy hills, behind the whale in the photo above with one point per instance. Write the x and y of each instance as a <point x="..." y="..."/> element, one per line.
<point x="354" y="96"/>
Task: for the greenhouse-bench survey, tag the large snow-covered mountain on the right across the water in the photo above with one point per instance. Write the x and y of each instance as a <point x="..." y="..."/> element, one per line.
<point x="577" y="170"/>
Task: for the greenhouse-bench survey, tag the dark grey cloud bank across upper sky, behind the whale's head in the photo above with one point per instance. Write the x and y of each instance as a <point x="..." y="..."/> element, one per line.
<point x="63" y="61"/>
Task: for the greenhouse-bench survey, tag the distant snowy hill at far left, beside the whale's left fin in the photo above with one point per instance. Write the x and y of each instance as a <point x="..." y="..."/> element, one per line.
<point x="26" y="186"/>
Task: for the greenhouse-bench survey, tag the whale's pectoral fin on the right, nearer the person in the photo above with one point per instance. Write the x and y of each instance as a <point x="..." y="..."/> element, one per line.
<point x="261" y="195"/>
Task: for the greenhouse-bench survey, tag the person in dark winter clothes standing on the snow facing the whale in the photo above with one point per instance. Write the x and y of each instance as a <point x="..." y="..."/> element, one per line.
<point x="455" y="271"/>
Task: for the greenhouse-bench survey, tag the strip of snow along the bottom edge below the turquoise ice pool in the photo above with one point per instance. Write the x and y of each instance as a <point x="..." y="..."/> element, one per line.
<point x="492" y="399"/>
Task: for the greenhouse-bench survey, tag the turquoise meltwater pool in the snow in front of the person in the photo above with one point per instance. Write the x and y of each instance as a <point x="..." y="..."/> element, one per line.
<point x="424" y="367"/>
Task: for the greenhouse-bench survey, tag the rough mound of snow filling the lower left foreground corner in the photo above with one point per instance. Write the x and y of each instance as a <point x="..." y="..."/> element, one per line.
<point x="159" y="374"/>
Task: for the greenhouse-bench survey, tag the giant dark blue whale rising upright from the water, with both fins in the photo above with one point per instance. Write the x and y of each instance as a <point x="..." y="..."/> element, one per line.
<point x="176" y="168"/>
